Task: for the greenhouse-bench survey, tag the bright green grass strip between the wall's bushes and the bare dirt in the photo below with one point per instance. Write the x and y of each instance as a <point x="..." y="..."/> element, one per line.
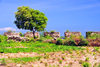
<point x="38" y="47"/>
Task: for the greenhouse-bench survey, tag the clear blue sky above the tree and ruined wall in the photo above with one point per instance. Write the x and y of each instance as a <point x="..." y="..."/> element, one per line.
<point x="73" y="15"/>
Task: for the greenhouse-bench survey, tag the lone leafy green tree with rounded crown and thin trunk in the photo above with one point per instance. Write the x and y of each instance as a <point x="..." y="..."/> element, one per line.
<point x="30" y="19"/>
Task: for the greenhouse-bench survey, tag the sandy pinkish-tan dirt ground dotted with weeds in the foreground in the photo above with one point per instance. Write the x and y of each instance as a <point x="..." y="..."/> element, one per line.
<point x="57" y="59"/>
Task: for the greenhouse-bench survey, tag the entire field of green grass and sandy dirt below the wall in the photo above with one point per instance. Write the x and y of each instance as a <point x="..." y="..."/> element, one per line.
<point x="39" y="54"/>
